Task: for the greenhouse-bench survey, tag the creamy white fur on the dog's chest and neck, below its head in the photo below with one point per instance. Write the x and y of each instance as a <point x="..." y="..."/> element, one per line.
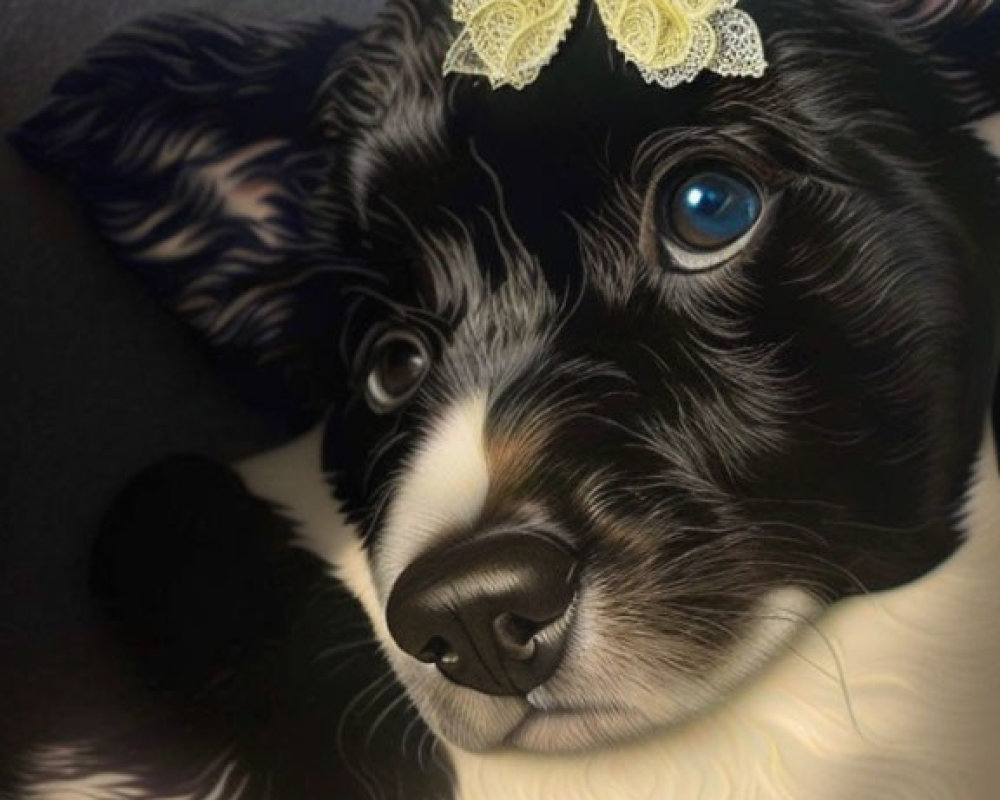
<point x="895" y="695"/>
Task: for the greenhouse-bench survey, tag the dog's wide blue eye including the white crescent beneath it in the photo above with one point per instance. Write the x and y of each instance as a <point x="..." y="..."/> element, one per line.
<point x="707" y="215"/>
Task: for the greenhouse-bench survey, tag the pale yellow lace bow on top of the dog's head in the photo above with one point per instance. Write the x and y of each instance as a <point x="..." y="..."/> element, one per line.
<point x="670" y="41"/>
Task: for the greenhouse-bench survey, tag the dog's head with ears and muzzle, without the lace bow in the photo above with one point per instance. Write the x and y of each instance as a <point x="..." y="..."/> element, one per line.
<point x="626" y="384"/>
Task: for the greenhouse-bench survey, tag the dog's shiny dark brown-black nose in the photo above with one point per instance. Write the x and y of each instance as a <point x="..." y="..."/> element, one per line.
<point x="490" y="611"/>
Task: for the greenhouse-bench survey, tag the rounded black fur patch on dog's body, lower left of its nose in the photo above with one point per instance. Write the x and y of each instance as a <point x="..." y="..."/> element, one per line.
<point x="252" y="650"/>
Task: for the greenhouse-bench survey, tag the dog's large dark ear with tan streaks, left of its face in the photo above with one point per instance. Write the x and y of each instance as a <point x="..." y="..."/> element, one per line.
<point x="191" y="142"/>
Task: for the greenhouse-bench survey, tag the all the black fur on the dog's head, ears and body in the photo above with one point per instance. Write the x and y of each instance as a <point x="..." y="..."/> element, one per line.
<point x="817" y="402"/>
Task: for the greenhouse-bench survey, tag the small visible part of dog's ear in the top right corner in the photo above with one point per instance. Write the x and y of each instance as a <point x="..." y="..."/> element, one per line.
<point x="964" y="36"/>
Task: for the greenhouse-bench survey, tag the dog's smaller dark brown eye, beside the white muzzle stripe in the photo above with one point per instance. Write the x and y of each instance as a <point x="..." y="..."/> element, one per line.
<point x="399" y="362"/>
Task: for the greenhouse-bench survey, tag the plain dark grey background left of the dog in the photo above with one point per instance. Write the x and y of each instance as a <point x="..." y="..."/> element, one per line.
<point x="95" y="381"/>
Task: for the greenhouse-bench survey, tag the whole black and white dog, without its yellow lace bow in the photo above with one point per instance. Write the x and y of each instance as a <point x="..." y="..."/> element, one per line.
<point x="636" y="503"/>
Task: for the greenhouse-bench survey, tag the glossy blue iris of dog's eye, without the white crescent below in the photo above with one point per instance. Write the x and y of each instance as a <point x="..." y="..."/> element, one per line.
<point x="713" y="208"/>
